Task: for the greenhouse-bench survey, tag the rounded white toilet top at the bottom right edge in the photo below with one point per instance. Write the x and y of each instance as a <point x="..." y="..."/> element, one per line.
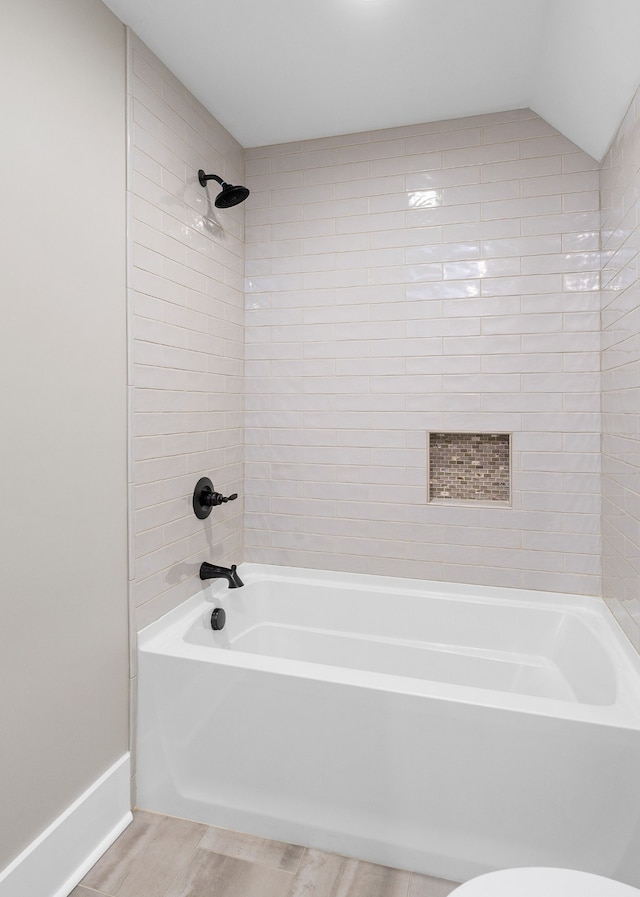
<point x="541" y="882"/>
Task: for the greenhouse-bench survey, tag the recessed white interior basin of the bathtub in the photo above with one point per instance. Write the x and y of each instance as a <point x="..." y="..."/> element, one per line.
<point x="498" y="641"/>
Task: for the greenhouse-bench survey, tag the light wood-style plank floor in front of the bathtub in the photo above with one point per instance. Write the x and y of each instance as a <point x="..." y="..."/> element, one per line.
<point x="159" y="856"/>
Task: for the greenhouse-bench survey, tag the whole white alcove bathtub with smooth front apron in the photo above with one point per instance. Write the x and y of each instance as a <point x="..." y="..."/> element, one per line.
<point x="452" y="730"/>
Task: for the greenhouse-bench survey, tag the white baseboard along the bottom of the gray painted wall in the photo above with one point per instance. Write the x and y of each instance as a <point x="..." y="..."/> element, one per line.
<point x="53" y="864"/>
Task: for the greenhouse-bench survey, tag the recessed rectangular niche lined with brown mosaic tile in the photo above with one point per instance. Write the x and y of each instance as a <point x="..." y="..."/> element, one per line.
<point x="469" y="467"/>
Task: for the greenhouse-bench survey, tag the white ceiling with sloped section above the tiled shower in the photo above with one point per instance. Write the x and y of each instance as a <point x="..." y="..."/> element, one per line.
<point x="274" y="71"/>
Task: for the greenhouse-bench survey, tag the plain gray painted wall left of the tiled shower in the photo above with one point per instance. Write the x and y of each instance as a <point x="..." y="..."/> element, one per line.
<point x="63" y="576"/>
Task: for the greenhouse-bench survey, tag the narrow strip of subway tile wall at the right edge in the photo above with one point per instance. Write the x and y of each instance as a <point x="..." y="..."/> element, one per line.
<point x="620" y="184"/>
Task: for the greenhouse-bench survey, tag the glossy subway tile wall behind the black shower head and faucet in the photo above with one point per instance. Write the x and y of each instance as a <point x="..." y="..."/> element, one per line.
<point x="186" y="319"/>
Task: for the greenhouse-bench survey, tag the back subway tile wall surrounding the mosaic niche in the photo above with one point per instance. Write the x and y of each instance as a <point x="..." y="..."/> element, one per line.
<point x="440" y="277"/>
